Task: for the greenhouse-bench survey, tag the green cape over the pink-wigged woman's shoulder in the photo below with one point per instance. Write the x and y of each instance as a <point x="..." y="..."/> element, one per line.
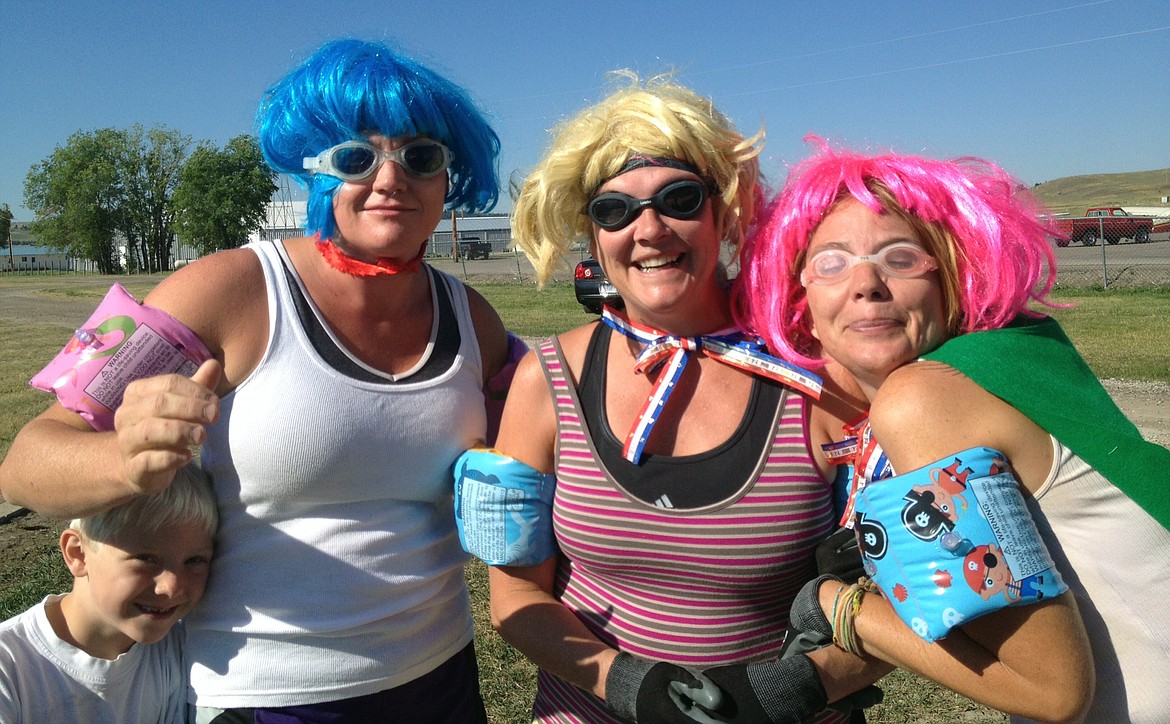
<point x="1034" y="367"/>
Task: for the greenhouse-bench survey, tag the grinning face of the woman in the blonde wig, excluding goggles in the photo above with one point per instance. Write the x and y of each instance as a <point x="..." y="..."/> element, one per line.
<point x="666" y="270"/>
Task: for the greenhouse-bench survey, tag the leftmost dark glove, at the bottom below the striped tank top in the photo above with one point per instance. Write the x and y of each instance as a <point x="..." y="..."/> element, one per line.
<point x="656" y="692"/>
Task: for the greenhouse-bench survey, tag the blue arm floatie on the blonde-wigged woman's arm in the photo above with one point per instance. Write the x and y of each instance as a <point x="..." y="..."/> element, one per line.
<point x="504" y="509"/>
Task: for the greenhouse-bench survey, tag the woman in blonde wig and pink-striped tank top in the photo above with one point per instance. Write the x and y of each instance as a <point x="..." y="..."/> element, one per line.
<point x="689" y="502"/>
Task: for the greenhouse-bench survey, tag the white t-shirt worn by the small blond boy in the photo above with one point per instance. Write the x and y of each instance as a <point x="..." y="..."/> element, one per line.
<point x="43" y="679"/>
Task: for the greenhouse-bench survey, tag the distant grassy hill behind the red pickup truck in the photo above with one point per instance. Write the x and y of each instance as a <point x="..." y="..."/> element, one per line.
<point x="1076" y="194"/>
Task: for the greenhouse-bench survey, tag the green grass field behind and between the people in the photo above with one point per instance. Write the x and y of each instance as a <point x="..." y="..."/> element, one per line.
<point x="1120" y="334"/>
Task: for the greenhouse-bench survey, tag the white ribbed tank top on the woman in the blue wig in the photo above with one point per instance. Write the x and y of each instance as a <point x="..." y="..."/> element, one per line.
<point x="339" y="570"/>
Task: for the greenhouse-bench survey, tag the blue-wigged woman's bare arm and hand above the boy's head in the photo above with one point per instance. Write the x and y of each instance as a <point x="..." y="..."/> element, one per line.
<point x="61" y="467"/>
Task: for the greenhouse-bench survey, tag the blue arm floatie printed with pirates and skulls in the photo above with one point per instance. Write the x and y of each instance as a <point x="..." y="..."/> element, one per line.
<point x="954" y="541"/>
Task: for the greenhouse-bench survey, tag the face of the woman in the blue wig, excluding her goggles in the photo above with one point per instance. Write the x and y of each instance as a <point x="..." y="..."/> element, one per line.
<point x="391" y="215"/>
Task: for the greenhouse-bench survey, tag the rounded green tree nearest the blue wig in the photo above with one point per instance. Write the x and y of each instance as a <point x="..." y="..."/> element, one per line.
<point x="223" y="195"/>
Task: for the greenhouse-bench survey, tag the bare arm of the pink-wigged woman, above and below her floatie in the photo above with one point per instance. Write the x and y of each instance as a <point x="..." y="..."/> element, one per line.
<point x="1033" y="660"/>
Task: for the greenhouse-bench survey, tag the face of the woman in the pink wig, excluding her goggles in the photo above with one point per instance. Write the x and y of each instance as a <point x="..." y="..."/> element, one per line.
<point x="870" y="322"/>
